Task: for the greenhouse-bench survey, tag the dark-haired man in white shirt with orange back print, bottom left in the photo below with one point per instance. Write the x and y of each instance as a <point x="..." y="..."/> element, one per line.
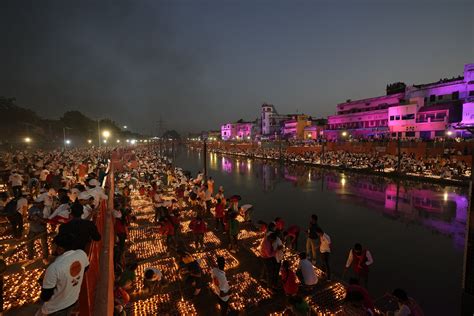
<point x="63" y="278"/>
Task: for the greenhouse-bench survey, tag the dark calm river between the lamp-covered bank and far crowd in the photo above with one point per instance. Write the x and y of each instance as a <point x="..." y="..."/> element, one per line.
<point x="417" y="242"/>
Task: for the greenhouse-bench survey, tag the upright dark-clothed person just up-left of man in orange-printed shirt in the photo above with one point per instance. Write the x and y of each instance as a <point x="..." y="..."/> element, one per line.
<point x="38" y="229"/>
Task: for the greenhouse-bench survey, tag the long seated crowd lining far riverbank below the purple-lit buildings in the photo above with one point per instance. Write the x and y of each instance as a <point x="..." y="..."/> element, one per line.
<point x="443" y="166"/>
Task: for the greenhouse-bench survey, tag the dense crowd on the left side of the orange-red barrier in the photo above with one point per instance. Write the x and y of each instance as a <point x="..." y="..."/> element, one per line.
<point x="53" y="196"/>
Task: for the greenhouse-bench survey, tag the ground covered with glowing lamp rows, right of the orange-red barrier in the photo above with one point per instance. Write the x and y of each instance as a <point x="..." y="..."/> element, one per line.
<point x="249" y="296"/>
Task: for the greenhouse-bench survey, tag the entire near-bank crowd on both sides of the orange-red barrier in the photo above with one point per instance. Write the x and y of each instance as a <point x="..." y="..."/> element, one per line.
<point x="64" y="191"/>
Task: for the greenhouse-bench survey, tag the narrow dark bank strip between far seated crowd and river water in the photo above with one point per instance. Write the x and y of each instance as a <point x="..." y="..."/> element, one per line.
<point x="386" y="174"/>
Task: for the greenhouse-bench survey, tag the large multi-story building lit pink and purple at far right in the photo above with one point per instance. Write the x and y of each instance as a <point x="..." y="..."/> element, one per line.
<point x="424" y="111"/>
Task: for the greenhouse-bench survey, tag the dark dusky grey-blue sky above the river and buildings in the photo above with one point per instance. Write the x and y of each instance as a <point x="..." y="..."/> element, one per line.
<point x="200" y="63"/>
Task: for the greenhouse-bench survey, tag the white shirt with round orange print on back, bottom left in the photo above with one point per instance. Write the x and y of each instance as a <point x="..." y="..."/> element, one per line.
<point x="65" y="276"/>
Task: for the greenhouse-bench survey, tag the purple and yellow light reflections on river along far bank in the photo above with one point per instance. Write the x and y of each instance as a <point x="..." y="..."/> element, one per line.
<point x="441" y="209"/>
